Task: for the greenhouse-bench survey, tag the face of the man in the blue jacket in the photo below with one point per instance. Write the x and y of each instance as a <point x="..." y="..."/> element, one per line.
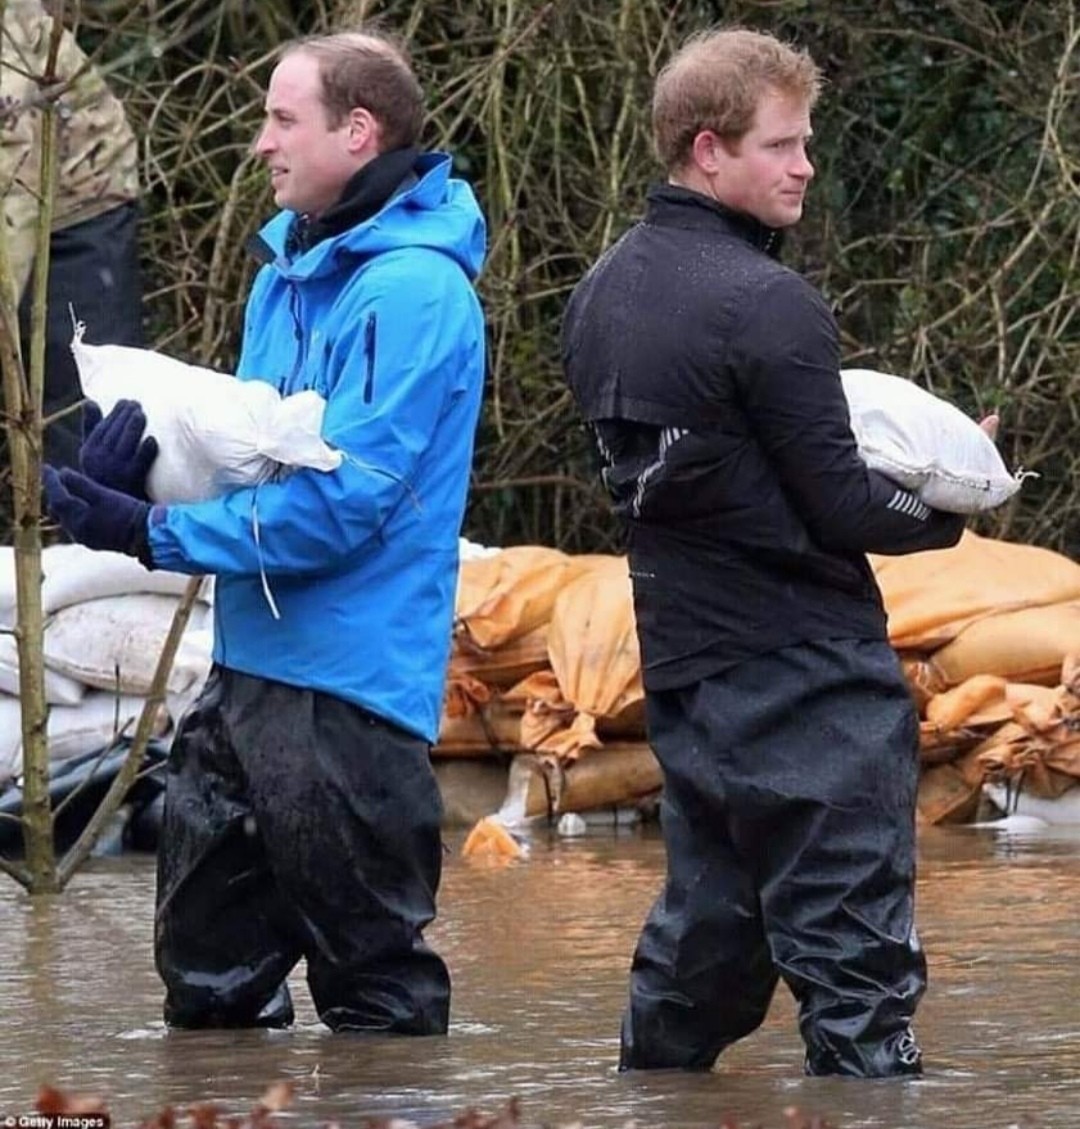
<point x="310" y="162"/>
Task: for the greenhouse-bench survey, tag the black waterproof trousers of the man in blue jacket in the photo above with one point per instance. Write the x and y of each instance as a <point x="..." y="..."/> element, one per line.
<point x="298" y="826"/>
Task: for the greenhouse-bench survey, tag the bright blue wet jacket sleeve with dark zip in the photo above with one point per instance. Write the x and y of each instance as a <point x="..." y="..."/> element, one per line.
<point x="392" y="377"/>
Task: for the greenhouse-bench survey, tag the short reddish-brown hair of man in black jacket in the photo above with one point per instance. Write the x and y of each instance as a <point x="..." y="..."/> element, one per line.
<point x="716" y="81"/>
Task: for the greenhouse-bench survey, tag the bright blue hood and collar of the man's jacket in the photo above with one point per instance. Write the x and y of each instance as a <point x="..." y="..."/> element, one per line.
<point x="437" y="212"/>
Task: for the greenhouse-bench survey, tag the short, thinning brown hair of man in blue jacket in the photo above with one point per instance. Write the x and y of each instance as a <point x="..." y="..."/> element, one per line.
<point x="370" y="69"/>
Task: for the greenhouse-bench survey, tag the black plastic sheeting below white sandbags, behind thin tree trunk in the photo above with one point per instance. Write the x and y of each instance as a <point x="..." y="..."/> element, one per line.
<point x="137" y="824"/>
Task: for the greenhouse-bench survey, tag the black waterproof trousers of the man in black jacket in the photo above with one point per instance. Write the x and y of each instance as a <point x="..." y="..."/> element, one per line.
<point x="788" y="815"/>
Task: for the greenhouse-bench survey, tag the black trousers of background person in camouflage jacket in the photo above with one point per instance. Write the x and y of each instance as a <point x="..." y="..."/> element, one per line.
<point x="94" y="273"/>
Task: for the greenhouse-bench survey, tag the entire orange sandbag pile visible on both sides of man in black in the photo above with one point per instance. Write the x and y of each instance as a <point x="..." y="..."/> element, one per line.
<point x="546" y="668"/>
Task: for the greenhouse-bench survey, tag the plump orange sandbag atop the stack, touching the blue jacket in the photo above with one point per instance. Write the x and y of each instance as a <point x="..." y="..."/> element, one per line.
<point x="511" y="593"/>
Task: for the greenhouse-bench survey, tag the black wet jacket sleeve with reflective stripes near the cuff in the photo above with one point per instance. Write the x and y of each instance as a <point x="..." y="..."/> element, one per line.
<point x="787" y="364"/>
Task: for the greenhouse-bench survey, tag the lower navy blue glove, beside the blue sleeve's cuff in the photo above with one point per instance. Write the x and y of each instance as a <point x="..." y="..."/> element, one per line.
<point x="95" y="517"/>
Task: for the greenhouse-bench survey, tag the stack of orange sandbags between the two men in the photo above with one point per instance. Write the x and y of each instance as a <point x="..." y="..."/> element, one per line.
<point x="546" y="668"/>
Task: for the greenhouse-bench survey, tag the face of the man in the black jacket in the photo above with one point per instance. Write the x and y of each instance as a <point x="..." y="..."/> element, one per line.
<point x="767" y="172"/>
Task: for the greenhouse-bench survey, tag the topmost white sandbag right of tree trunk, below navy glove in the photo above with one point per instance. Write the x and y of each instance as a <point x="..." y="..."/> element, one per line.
<point x="75" y="574"/>
